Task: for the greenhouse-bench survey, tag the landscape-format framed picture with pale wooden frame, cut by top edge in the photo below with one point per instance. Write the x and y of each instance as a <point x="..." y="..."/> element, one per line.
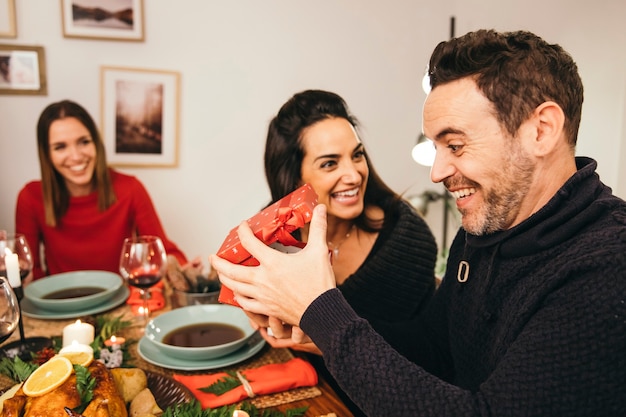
<point x="103" y="19"/>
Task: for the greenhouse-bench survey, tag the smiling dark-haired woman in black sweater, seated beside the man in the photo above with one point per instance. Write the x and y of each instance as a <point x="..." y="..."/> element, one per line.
<point x="383" y="253"/>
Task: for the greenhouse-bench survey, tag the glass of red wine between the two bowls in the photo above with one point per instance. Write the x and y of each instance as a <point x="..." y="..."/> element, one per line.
<point x="142" y="263"/>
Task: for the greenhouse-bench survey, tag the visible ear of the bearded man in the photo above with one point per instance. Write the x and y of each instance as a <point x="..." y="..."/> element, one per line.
<point x="547" y="123"/>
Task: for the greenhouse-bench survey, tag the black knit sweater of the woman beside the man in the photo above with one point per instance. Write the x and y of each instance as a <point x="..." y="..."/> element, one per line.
<point x="395" y="280"/>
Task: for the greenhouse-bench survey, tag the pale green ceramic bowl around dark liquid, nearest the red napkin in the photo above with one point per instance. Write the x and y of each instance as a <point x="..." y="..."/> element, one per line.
<point x="182" y="318"/>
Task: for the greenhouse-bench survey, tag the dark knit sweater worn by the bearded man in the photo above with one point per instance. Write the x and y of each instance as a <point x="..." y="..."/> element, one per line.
<point x="537" y="329"/>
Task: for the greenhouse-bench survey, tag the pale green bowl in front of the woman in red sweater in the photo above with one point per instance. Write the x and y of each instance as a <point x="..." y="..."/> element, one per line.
<point x="106" y="284"/>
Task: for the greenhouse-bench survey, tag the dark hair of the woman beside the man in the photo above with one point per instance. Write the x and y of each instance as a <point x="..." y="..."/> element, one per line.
<point x="284" y="153"/>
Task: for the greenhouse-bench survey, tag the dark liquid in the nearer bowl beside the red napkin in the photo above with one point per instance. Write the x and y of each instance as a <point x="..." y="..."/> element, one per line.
<point x="202" y="335"/>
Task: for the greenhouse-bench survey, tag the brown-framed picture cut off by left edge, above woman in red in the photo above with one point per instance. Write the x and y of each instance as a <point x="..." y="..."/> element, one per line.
<point x="22" y="70"/>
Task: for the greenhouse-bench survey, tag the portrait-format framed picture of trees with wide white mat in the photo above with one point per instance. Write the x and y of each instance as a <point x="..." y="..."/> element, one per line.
<point x="140" y="116"/>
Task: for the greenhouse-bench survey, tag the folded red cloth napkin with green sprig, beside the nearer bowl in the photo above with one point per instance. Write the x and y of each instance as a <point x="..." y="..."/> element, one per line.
<point x="267" y="379"/>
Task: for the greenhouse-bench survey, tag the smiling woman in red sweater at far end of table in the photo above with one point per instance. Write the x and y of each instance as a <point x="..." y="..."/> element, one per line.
<point x="81" y="210"/>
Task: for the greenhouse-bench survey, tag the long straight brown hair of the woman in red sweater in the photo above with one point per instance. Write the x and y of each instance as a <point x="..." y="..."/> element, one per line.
<point x="56" y="196"/>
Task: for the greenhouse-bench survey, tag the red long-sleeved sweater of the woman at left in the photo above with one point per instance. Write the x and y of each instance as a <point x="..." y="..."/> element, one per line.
<point x="87" y="239"/>
